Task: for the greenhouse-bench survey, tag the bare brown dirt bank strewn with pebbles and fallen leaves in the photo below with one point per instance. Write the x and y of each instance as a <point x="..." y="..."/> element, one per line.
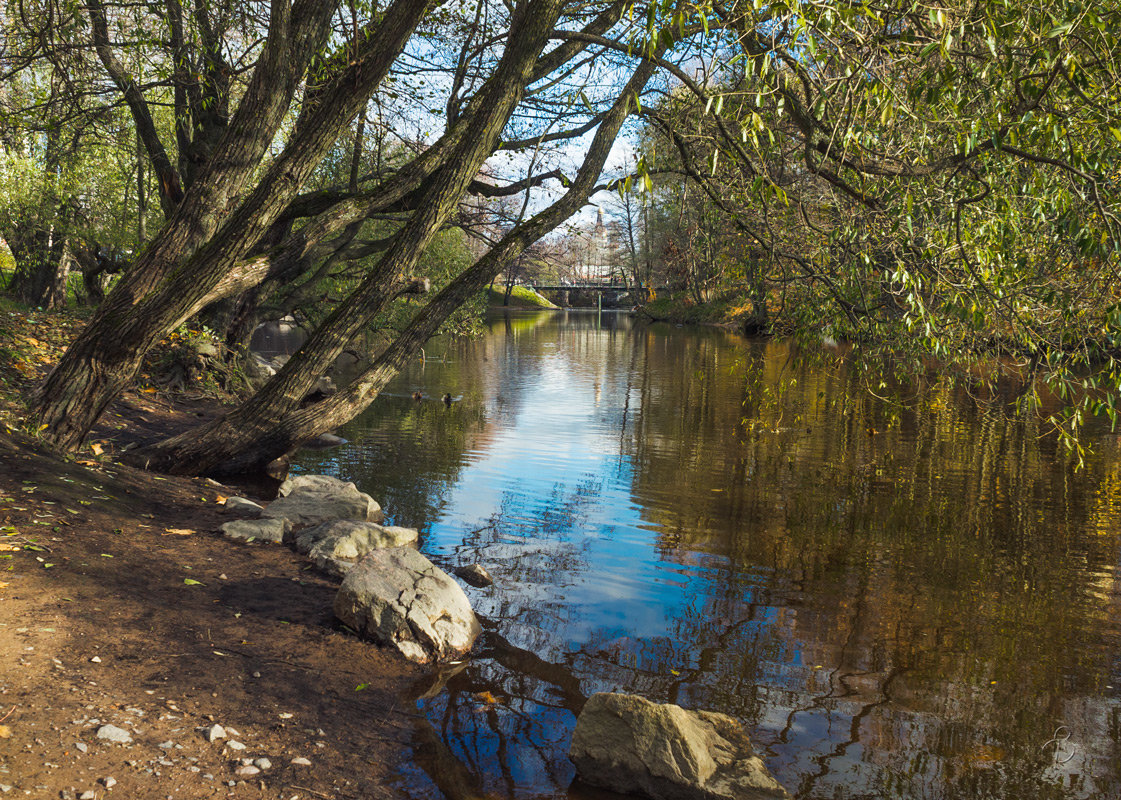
<point x="99" y="626"/>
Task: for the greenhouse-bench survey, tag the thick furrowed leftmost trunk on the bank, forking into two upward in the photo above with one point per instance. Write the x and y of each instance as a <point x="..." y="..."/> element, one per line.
<point x="177" y="276"/>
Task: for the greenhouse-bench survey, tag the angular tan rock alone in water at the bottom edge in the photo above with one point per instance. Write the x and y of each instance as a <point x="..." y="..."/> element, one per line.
<point x="634" y="747"/>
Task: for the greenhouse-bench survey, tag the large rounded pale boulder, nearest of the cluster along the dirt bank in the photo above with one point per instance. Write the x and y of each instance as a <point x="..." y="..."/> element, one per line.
<point x="400" y="599"/>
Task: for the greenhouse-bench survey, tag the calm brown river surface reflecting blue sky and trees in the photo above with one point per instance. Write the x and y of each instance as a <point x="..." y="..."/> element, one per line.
<point x="898" y="601"/>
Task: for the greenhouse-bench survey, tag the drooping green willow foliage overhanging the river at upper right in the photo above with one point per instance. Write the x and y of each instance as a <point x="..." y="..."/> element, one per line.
<point x="943" y="179"/>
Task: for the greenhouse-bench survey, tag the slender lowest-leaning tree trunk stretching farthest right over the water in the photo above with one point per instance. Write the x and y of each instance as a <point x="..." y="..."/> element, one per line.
<point x="248" y="441"/>
